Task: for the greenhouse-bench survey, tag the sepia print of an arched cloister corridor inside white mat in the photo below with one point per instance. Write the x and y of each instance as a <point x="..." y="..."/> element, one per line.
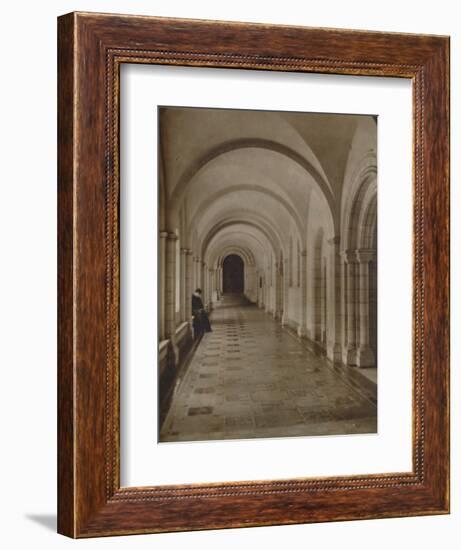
<point x="267" y="274"/>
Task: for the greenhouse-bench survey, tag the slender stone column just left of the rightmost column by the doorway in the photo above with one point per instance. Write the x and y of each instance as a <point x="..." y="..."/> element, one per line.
<point x="350" y="344"/>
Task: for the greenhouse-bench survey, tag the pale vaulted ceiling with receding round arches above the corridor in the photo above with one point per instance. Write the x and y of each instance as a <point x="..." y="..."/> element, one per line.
<point x="251" y="179"/>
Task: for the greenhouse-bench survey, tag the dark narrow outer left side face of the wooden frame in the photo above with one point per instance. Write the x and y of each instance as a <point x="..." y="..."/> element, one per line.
<point x="66" y="470"/>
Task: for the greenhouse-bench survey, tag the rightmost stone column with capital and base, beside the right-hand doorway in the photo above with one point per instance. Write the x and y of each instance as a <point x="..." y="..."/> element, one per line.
<point x="365" y="357"/>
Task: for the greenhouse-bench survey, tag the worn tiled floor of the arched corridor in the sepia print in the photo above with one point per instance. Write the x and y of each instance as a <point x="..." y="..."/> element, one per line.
<point x="251" y="378"/>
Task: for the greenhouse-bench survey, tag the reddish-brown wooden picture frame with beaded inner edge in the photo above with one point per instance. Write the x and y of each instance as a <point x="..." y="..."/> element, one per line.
<point x="92" y="47"/>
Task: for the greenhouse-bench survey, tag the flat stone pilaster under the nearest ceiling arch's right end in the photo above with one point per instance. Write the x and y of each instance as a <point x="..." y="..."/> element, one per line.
<point x="334" y="321"/>
